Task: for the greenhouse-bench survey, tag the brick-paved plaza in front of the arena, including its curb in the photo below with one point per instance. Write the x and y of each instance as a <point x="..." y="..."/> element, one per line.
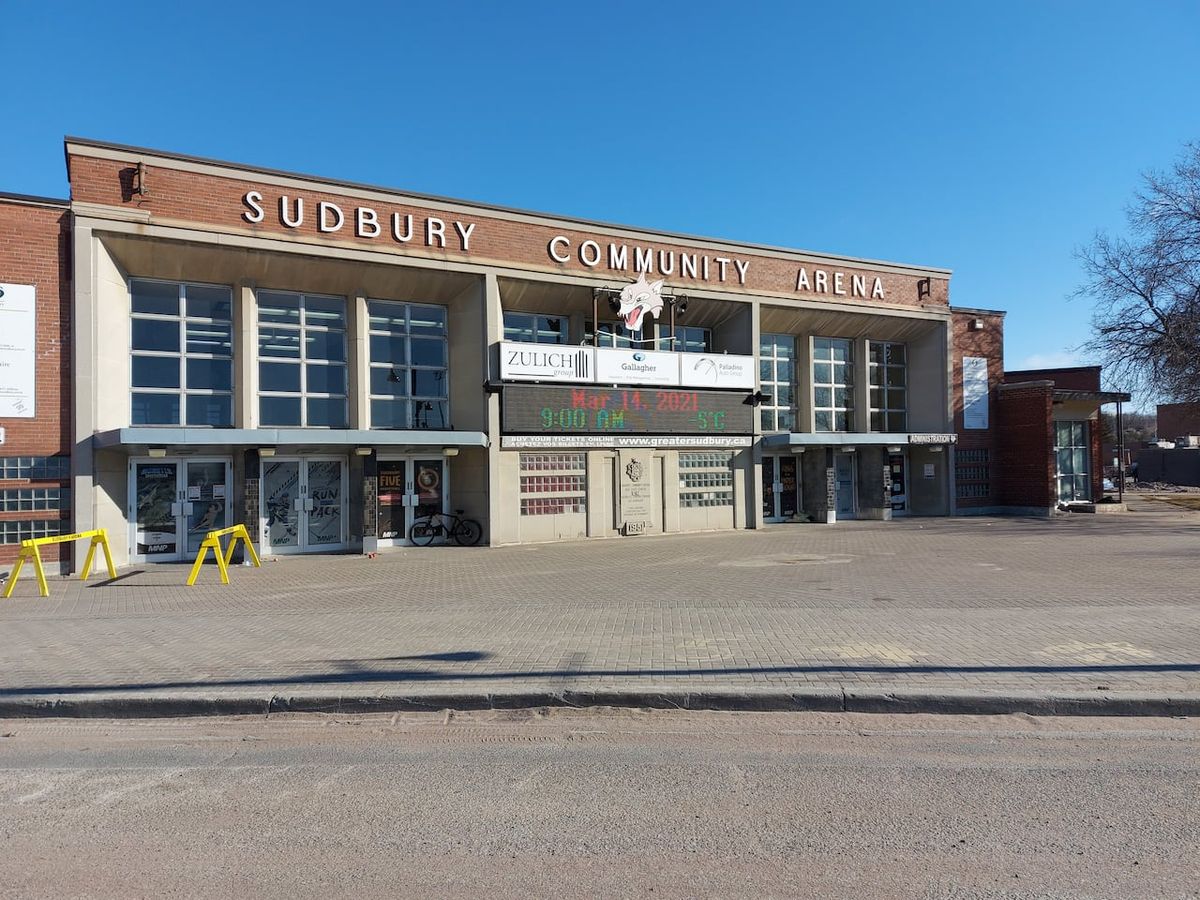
<point x="1081" y="614"/>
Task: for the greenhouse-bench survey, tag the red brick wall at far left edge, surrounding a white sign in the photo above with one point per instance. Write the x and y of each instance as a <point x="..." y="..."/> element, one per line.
<point x="35" y="244"/>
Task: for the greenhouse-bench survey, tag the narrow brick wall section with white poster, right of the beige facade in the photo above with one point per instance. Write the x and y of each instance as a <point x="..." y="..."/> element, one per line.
<point x="989" y="344"/>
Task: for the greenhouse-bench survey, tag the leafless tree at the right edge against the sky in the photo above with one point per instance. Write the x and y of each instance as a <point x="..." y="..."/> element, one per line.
<point x="1147" y="289"/>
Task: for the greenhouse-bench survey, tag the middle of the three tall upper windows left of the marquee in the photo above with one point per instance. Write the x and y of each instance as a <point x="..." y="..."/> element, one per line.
<point x="302" y="361"/>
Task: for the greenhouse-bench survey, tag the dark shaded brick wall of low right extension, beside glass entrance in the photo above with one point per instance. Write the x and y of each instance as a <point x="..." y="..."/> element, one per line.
<point x="1025" y="455"/>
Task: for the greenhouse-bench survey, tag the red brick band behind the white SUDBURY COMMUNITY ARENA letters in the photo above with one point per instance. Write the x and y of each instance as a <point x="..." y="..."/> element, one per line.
<point x="176" y="195"/>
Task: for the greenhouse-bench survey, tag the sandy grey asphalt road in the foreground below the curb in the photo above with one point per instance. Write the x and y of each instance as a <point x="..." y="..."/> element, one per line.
<point x="620" y="803"/>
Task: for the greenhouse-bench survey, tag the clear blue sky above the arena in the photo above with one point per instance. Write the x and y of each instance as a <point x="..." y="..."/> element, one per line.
<point x="988" y="139"/>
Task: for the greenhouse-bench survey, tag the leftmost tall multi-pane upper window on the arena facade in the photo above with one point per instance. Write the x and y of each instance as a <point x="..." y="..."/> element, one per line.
<point x="182" y="361"/>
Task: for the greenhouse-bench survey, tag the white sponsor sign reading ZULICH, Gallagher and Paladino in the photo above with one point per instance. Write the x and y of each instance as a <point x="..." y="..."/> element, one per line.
<point x="610" y="365"/>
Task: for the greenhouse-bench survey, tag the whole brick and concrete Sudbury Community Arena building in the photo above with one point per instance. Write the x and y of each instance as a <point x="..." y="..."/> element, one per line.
<point x="191" y="344"/>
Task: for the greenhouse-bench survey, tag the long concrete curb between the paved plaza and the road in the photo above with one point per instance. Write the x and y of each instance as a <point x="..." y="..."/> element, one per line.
<point x="829" y="700"/>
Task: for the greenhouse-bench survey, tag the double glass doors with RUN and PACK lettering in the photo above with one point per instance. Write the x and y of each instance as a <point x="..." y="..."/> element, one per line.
<point x="304" y="505"/>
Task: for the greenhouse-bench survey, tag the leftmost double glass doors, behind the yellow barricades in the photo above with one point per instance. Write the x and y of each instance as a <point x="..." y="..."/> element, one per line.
<point x="173" y="505"/>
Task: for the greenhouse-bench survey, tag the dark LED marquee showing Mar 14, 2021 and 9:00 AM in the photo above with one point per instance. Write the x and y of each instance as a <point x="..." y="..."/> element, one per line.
<point x="543" y="410"/>
